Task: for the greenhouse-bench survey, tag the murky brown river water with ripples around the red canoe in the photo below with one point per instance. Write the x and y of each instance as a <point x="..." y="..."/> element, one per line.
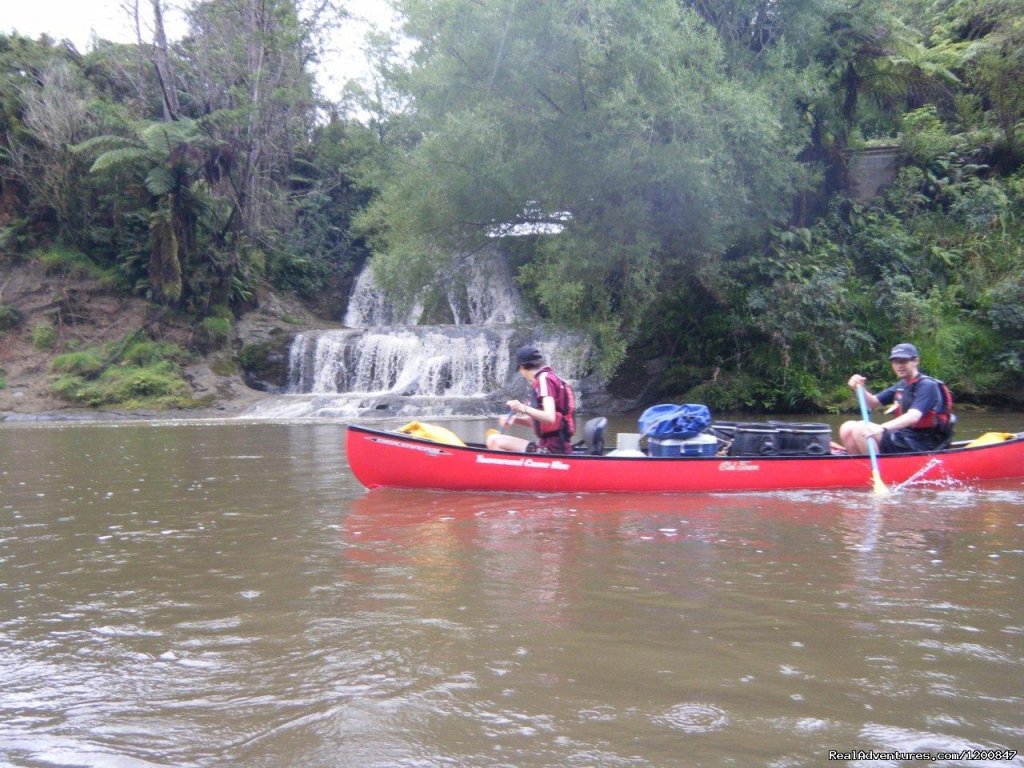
<point x="226" y="594"/>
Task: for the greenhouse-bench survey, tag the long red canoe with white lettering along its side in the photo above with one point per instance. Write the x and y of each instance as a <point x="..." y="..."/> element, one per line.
<point x="382" y="459"/>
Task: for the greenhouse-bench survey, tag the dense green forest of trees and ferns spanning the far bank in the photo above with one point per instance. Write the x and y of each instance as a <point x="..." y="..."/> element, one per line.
<point x="680" y="168"/>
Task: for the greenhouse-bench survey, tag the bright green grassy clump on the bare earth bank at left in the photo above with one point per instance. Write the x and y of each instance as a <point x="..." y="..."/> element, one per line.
<point x="132" y="374"/>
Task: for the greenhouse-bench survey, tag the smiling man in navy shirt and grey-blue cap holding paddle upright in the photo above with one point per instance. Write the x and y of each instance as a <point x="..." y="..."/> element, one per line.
<point x="922" y="410"/>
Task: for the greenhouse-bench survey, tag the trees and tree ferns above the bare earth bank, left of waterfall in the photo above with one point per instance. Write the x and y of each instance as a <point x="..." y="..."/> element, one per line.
<point x="172" y="199"/>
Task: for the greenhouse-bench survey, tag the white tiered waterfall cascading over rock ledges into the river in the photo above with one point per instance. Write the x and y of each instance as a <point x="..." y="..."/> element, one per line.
<point x="388" y="365"/>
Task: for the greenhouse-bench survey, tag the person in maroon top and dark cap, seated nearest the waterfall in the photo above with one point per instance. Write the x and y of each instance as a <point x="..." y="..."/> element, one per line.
<point x="551" y="413"/>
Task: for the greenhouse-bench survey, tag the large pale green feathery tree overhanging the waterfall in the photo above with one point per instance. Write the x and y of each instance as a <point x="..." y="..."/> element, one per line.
<point x="550" y="116"/>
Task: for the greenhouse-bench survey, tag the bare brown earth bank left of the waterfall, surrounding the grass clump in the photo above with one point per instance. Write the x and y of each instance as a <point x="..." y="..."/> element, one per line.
<point x="79" y="312"/>
